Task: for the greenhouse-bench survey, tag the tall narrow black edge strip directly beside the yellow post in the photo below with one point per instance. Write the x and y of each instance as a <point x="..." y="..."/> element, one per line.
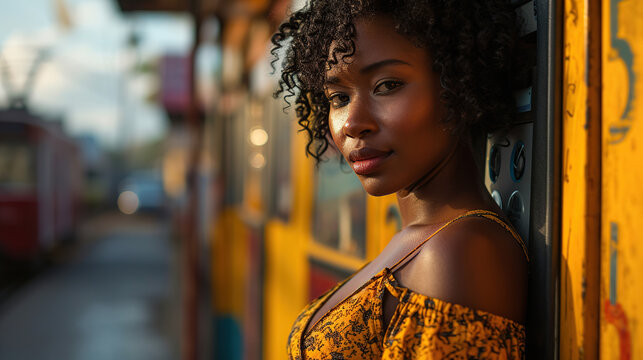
<point x="542" y="319"/>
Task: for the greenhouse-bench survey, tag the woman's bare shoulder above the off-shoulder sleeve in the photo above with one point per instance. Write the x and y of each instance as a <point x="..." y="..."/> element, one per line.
<point x="474" y="262"/>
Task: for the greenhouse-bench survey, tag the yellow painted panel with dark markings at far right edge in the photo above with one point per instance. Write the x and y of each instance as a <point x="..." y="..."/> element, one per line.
<point x="621" y="331"/>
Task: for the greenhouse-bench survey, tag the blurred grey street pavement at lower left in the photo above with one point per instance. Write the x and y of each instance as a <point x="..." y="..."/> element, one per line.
<point x="113" y="294"/>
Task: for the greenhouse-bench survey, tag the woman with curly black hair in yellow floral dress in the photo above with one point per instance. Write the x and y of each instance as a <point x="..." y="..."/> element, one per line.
<point x="398" y="87"/>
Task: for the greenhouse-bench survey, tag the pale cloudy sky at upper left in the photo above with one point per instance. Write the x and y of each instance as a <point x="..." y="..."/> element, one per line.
<point x="86" y="77"/>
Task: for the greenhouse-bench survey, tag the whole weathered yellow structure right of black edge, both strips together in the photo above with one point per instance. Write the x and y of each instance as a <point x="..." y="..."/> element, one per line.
<point x="601" y="198"/>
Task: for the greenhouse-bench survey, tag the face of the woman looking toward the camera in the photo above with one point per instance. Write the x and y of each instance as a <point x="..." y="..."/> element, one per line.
<point x="385" y="114"/>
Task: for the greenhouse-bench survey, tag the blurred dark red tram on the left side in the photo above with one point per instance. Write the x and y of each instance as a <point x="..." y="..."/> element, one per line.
<point x="40" y="185"/>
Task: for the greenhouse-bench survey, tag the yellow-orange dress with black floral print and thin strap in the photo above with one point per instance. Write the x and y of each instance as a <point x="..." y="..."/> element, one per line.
<point x="422" y="327"/>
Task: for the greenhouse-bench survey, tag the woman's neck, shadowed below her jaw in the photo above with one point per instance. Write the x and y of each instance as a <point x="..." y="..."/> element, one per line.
<point x="452" y="187"/>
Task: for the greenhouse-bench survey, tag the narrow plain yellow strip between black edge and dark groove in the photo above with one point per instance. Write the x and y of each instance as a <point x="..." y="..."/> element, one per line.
<point x="580" y="191"/>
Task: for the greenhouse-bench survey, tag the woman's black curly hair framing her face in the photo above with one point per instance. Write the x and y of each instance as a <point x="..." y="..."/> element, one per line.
<point x="471" y="43"/>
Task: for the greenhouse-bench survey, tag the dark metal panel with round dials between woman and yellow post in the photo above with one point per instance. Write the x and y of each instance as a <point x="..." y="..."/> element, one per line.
<point x="521" y="169"/>
